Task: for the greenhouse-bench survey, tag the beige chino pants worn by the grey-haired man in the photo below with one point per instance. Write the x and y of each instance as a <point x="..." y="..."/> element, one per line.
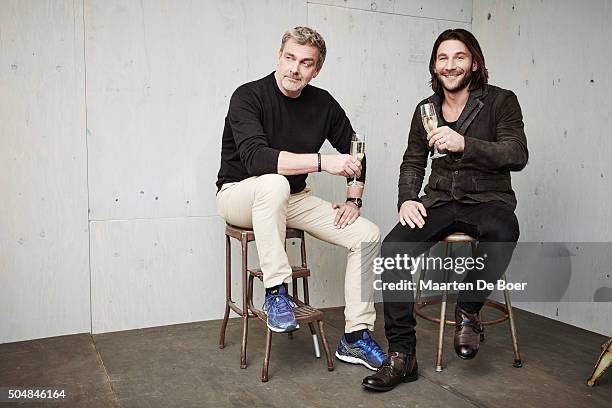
<point x="265" y="204"/>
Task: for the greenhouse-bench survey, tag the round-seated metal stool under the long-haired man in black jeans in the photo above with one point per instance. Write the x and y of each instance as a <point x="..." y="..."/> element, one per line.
<point x="506" y="309"/>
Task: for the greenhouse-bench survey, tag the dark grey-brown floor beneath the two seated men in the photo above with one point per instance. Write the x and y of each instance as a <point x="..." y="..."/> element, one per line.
<point x="182" y="366"/>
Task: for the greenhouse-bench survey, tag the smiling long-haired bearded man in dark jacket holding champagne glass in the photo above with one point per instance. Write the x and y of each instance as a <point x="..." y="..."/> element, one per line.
<point x="480" y="128"/>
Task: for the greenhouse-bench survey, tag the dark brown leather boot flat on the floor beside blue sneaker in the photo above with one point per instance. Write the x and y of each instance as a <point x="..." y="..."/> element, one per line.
<point x="397" y="368"/>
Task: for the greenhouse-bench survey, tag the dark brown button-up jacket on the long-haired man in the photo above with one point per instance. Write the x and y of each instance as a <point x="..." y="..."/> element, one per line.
<point x="495" y="145"/>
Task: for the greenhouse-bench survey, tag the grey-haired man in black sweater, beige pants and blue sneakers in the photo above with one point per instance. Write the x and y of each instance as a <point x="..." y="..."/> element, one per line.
<point x="273" y="131"/>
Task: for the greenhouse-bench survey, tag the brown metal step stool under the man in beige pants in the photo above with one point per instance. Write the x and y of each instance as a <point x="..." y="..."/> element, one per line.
<point x="304" y="313"/>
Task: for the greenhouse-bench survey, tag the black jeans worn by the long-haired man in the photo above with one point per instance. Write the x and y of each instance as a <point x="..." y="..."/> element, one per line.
<point x="491" y="222"/>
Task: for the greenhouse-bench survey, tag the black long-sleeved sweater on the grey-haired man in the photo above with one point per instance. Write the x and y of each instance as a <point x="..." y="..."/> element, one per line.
<point x="261" y="122"/>
